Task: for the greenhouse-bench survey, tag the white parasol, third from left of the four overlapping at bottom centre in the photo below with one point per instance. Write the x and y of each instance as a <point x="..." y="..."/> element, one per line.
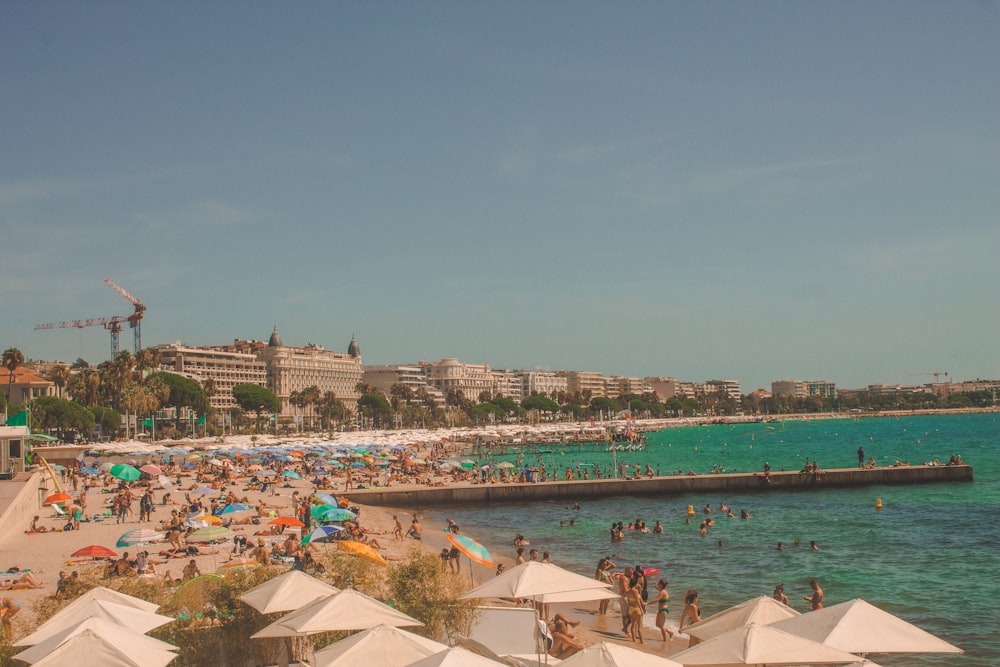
<point x="383" y="645"/>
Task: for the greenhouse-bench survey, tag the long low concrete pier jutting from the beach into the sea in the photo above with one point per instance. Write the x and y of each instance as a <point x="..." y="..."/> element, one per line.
<point x="496" y="494"/>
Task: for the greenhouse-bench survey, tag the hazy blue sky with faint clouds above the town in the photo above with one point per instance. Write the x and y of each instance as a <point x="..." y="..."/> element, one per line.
<point x="703" y="190"/>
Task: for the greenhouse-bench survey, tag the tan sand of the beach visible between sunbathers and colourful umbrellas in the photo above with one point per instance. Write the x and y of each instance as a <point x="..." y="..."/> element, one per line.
<point x="46" y="554"/>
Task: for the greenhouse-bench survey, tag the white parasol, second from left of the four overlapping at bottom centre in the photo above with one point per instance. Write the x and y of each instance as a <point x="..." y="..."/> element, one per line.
<point x="346" y="610"/>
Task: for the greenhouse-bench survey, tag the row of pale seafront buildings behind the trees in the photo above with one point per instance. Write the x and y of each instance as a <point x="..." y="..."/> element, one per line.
<point x="288" y="370"/>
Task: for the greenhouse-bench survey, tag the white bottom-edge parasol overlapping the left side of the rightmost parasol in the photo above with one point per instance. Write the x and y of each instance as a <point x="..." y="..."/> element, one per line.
<point x="756" y="644"/>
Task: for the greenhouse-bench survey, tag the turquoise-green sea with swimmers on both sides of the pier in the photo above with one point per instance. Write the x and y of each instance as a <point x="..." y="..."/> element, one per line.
<point x="930" y="555"/>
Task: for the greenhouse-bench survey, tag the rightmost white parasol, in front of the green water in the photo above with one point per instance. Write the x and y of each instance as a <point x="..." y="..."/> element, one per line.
<point x="860" y="627"/>
